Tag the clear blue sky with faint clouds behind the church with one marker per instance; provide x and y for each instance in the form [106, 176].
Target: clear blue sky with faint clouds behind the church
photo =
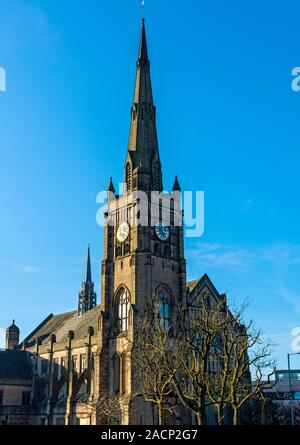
[228, 124]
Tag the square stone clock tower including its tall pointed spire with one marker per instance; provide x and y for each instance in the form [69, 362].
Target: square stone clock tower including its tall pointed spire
[143, 248]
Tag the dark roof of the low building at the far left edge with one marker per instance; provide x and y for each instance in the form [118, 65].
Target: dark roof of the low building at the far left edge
[15, 365]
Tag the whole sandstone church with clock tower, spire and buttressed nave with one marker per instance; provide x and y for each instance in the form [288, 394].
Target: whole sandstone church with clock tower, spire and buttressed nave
[62, 369]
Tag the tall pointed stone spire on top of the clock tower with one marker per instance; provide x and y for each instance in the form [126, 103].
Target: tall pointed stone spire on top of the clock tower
[143, 167]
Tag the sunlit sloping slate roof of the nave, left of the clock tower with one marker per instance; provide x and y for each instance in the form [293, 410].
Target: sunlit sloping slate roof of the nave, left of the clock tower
[61, 324]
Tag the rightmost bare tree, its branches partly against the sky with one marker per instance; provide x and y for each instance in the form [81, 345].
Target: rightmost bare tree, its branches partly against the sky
[241, 348]
